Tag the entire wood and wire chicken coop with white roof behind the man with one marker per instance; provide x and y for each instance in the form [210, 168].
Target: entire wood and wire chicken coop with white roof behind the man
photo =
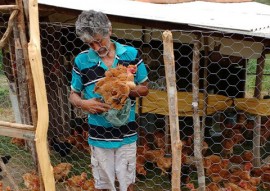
[205, 124]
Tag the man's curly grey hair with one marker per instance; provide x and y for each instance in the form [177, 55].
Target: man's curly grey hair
[91, 23]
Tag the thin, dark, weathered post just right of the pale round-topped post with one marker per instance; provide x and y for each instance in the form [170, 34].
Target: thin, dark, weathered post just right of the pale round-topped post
[196, 117]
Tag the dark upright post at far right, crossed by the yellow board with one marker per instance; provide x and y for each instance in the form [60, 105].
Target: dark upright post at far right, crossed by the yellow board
[257, 127]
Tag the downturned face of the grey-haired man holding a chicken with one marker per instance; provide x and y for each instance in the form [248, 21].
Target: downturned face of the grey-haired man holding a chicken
[101, 45]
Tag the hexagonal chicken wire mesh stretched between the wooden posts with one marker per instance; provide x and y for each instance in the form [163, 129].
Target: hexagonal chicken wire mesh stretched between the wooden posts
[227, 74]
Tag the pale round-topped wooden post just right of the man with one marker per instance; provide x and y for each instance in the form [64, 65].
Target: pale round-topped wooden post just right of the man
[173, 109]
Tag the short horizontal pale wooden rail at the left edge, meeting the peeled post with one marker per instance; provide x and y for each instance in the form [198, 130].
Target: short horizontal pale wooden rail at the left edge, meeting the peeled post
[18, 133]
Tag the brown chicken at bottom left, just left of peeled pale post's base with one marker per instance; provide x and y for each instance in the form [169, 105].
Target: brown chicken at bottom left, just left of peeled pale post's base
[31, 181]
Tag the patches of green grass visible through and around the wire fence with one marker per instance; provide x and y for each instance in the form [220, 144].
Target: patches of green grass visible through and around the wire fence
[22, 160]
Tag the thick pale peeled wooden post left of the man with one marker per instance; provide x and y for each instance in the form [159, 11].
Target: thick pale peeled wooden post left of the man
[41, 98]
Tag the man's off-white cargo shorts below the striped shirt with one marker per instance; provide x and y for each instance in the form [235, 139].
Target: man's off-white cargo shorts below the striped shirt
[111, 164]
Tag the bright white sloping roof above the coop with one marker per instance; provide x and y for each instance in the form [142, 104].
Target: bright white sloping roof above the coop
[245, 18]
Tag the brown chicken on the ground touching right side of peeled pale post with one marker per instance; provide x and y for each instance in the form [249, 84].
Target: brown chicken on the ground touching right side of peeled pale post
[61, 171]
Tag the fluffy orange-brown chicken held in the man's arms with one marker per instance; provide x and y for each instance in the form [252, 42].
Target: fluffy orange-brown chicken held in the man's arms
[116, 85]
